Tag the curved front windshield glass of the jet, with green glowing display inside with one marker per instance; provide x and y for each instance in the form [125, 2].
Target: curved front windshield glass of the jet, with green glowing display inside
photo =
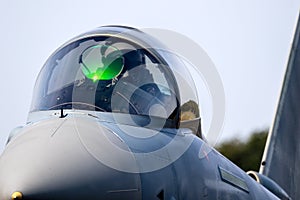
[107, 74]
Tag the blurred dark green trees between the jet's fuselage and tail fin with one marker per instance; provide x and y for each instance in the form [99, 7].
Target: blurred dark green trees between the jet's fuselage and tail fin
[247, 155]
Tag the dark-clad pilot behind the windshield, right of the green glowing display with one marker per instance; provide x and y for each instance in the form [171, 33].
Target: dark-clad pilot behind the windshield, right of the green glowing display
[140, 89]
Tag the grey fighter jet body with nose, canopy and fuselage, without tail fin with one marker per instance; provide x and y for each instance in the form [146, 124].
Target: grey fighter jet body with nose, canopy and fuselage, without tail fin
[108, 121]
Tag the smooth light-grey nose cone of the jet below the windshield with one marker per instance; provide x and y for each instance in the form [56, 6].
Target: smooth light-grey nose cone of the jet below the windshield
[50, 160]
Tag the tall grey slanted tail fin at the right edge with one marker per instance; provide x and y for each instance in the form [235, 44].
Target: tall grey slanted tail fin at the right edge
[281, 159]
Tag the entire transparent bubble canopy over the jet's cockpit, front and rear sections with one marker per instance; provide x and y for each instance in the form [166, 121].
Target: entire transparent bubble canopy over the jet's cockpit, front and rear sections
[117, 70]
